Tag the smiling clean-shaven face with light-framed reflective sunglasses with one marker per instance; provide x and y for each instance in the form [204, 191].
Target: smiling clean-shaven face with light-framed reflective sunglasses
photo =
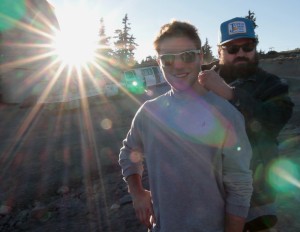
[180, 62]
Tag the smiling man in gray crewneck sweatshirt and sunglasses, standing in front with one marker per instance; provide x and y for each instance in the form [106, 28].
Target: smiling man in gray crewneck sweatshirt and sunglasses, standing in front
[194, 145]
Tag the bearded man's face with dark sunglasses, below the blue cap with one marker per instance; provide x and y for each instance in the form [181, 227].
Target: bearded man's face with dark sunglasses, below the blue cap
[237, 52]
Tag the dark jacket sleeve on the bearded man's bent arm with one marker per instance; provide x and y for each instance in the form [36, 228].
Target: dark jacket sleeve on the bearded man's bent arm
[269, 104]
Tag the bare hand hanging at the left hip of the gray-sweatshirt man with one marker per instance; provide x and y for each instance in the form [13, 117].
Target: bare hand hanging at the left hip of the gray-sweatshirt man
[142, 203]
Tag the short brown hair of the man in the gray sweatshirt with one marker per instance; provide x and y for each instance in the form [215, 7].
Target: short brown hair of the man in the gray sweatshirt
[177, 29]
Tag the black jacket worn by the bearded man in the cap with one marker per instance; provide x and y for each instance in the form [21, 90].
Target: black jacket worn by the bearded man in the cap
[263, 99]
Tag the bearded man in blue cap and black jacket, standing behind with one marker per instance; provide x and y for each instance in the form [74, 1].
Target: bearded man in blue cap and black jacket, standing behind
[263, 99]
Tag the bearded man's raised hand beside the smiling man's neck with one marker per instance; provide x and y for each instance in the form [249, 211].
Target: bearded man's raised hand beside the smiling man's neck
[211, 80]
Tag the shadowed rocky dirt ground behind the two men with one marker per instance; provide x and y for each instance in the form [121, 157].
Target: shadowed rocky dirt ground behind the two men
[59, 167]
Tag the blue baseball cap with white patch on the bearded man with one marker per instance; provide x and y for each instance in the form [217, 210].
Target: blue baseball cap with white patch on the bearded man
[236, 28]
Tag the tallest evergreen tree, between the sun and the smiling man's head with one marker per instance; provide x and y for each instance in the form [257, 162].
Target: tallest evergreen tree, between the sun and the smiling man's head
[125, 45]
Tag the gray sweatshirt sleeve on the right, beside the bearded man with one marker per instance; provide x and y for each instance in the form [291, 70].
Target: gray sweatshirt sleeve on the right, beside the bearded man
[237, 176]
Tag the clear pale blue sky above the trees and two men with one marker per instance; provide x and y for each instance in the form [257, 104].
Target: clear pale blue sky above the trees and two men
[278, 20]
